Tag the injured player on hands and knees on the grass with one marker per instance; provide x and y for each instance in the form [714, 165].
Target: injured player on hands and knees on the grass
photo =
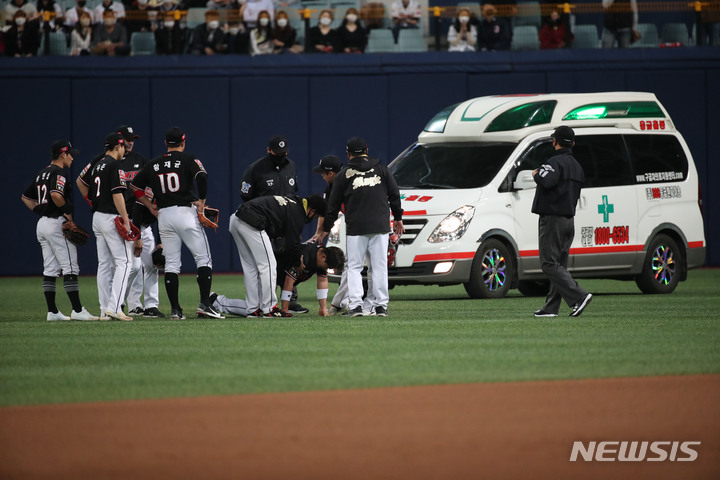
[314, 260]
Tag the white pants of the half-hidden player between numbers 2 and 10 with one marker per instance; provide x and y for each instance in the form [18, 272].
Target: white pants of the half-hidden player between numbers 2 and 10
[143, 275]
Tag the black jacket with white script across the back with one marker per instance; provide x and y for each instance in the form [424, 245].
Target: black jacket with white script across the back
[369, 192]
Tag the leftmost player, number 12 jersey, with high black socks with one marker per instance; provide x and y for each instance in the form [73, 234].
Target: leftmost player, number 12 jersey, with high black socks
[50, 196]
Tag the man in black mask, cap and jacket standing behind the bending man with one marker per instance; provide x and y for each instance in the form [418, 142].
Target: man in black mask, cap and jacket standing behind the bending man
[273, 174]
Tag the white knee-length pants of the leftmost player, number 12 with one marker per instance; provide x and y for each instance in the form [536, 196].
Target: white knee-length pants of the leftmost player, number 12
[59, 255]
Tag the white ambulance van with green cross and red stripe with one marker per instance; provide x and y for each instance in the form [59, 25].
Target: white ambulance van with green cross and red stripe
[467, 191]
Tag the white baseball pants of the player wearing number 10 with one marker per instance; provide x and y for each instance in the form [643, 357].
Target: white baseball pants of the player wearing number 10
[178, 225]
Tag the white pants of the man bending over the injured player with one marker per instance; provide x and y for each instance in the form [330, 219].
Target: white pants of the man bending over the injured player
[259, 265]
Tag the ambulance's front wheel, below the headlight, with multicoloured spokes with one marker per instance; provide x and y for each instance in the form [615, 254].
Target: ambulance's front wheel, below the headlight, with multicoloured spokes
[492, 271]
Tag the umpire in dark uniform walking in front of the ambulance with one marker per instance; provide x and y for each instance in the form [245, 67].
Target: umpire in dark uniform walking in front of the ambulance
[558, 188]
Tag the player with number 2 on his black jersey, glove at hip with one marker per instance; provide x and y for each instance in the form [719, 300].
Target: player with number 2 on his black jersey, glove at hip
[104, 185]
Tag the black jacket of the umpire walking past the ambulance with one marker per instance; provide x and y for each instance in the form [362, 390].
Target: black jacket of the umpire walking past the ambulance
[559, 181]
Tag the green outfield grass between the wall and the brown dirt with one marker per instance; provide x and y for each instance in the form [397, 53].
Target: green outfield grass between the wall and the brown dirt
[433, 336]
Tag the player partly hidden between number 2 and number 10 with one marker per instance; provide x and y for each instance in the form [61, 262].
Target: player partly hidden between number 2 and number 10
[143, 274]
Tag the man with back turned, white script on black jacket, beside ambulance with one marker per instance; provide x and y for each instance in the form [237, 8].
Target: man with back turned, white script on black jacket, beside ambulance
[369, 191]
